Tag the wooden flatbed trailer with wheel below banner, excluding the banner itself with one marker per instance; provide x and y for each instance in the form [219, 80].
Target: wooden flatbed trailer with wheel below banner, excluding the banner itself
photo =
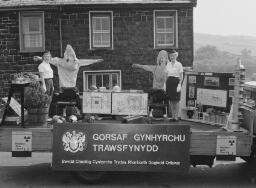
[202, 149]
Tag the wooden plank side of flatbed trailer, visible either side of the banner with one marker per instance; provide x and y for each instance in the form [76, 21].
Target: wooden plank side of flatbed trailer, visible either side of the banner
[203, 138]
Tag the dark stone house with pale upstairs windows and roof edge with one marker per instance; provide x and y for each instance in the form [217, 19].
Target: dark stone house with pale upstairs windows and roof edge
[122, 32]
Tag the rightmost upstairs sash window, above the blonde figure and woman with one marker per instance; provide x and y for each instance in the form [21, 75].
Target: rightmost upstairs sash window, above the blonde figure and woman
[165, 29]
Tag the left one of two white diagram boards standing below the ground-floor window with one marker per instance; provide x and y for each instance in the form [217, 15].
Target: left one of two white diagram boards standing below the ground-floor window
[97, 102]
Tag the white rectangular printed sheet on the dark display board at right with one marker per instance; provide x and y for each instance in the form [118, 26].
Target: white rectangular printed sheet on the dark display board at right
[212, 97]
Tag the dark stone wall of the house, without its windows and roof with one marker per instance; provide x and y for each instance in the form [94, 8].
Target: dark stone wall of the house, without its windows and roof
[132, 35]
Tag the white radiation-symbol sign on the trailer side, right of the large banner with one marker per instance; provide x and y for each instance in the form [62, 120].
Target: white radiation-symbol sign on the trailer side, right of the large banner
[226, 145]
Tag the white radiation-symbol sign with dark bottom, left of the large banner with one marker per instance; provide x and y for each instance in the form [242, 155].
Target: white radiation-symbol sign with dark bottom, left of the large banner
[21, 144]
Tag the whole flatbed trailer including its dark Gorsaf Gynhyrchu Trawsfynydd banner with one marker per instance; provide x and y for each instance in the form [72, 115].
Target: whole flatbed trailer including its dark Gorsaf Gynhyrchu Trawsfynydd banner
[205, 141]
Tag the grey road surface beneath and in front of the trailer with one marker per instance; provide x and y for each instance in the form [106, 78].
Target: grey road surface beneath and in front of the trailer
[36, 172]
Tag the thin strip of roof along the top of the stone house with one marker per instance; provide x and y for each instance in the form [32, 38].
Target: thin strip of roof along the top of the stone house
[29, 3]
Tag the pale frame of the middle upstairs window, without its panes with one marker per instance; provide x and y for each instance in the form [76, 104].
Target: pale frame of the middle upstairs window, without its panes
[100, 13]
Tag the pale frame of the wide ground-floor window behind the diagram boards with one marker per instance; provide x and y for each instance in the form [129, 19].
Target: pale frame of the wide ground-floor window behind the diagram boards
[101, 72]
